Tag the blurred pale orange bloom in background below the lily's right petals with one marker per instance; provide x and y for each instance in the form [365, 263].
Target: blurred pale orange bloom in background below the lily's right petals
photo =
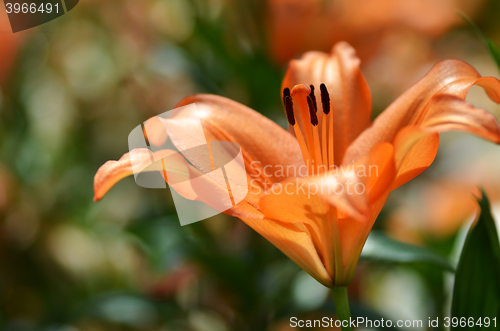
[437, 209]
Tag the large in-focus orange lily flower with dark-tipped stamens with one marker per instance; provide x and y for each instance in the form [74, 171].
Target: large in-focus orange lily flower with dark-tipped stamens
[305, 215]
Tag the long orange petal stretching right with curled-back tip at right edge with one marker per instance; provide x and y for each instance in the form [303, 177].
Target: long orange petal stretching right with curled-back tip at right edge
[435, 103]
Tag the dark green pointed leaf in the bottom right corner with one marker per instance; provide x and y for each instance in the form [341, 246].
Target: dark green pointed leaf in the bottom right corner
[477, 281]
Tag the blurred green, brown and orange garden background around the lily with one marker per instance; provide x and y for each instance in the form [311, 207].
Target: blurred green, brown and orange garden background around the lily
[71, 91]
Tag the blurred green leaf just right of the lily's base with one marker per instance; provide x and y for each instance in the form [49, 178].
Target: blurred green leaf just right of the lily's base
[381, 248]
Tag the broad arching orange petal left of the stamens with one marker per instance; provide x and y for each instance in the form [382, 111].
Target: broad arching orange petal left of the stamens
[263, 142]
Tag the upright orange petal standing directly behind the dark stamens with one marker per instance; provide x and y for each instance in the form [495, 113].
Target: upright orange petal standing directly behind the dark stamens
[349, 93]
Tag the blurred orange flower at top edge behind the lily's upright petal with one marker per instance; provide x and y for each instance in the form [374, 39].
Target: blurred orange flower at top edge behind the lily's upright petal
[296, 26]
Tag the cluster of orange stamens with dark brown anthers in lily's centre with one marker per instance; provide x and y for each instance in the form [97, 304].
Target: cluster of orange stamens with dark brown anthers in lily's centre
[314, 135]
